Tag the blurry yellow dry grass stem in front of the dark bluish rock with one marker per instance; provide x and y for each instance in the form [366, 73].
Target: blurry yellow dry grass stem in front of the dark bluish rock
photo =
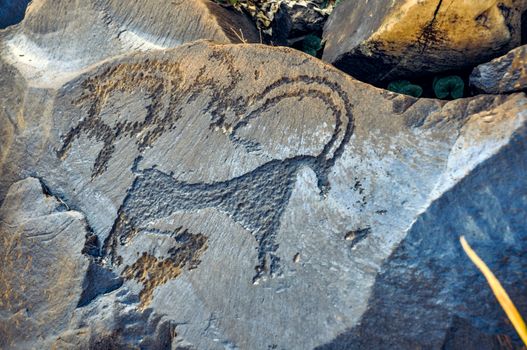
[500, 293]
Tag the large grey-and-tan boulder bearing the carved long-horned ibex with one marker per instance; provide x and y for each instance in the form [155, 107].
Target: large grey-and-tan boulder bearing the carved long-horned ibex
[235, 206]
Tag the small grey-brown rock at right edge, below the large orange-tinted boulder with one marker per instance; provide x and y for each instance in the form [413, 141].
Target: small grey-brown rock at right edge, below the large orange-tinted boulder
[505, 74]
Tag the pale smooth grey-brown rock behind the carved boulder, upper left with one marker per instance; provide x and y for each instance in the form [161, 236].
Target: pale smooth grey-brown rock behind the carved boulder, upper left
[59, 38]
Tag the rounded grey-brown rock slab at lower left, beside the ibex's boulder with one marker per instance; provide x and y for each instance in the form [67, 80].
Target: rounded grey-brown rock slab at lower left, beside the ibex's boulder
[42, 268]
